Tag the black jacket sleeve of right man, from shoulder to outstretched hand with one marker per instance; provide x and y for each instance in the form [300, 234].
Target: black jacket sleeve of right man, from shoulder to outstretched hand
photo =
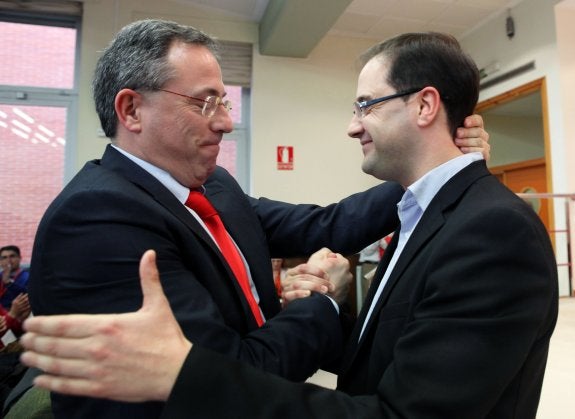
[477, 338]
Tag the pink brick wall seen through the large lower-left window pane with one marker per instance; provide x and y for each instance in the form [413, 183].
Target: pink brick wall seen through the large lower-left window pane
[31, 172]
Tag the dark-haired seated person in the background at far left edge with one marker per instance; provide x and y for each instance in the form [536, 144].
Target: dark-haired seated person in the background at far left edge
[14, 277]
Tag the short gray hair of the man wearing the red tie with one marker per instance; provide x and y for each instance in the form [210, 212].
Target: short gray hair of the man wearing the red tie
[136, 59]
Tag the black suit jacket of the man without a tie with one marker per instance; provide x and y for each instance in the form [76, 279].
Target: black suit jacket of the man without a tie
[461, 330]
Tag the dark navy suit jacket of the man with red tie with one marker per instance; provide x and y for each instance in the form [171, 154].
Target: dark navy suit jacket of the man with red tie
[90, 240]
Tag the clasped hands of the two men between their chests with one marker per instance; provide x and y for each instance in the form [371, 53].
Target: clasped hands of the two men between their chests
[325, 272]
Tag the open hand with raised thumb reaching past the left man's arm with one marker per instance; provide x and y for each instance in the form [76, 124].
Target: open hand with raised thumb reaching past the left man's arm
[114, 356]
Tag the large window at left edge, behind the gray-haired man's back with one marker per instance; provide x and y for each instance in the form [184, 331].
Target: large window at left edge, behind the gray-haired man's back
[37, 108]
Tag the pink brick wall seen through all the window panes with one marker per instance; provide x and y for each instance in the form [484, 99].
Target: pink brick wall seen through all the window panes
[32, 138]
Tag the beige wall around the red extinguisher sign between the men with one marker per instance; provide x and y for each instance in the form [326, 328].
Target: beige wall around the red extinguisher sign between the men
[306, 103]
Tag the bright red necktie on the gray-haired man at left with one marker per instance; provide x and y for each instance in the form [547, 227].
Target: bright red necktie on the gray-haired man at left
[199, 203]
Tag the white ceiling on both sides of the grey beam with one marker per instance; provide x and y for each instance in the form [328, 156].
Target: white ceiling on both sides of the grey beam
[380, 19]
